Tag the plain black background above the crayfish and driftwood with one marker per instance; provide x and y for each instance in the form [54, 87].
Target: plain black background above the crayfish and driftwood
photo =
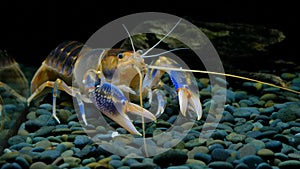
[30, 30]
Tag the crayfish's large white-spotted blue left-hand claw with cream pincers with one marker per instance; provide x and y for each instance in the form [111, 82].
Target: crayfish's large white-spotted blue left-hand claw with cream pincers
[110, 101]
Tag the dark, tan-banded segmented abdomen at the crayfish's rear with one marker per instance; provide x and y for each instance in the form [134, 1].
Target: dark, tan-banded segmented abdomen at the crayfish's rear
[64, 56]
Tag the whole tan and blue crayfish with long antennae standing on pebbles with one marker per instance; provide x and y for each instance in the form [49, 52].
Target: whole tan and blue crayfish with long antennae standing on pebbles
[106, 78]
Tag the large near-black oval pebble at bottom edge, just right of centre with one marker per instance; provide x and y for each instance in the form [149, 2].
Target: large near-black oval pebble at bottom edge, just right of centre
[174, 157]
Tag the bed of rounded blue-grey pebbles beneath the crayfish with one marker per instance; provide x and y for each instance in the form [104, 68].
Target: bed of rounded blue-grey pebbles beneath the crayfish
[259, 129]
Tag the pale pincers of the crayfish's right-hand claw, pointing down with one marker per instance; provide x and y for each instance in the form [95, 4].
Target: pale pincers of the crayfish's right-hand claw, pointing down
[189, 100]
